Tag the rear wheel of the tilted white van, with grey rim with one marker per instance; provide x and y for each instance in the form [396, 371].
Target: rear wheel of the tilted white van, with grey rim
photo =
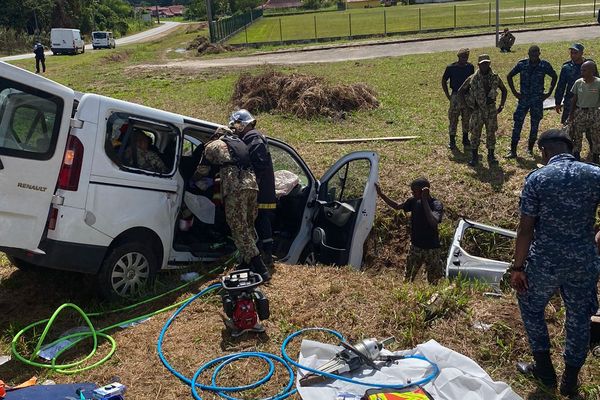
[128, 270]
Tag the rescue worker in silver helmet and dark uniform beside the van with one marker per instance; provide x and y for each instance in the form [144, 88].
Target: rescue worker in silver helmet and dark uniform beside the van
[243, 124]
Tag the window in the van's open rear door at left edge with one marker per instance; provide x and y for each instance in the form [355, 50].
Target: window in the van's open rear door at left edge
[29, 121]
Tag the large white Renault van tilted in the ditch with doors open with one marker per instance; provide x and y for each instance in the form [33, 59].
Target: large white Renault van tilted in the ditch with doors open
[69, 199]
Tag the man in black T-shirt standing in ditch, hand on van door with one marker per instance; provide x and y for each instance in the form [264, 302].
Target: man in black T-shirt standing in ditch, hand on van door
[425, 215]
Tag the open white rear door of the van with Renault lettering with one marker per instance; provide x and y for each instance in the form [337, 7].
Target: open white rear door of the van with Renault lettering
[35, 116]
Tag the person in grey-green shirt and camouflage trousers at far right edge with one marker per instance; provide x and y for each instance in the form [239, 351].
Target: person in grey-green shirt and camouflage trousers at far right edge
[585, 116]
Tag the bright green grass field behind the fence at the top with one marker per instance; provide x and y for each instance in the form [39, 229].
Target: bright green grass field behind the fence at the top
[412, 18]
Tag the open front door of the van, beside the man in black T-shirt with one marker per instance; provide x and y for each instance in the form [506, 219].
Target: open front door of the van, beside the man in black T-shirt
[345, 209]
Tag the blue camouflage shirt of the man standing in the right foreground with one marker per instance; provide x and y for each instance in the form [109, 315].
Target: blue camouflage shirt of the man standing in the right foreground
[563, 197]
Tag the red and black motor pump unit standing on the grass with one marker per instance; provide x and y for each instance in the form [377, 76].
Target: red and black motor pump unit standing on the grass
[243, 303]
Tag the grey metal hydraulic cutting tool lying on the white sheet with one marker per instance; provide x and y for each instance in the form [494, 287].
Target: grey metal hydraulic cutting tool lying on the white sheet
[351, 358]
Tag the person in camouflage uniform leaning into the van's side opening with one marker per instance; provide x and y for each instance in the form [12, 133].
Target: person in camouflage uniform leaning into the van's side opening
[239, 193]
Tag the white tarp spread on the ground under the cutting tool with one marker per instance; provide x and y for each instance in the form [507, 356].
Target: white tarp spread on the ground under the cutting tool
[459, 377]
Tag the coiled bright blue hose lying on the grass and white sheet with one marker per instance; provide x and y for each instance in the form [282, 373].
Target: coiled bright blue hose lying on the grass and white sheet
[285, 361]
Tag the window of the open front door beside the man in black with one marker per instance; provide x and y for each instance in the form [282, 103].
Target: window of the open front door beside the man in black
[348, 183]
